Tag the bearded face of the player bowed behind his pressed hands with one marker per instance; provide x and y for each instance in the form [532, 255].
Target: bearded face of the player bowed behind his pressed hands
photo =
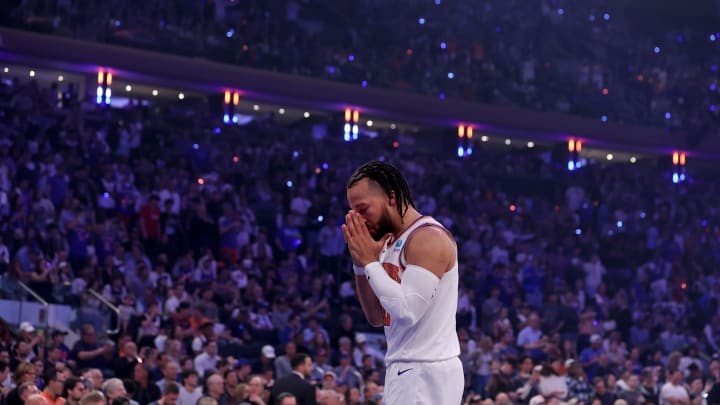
[374, 206]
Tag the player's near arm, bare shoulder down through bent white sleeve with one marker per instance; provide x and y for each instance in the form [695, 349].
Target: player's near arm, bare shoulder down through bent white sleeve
[429, 254]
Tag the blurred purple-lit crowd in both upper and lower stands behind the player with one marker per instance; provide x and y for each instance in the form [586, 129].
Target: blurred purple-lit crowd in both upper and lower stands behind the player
[220, 245]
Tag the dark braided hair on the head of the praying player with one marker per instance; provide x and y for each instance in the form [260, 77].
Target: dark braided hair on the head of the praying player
[389, 178]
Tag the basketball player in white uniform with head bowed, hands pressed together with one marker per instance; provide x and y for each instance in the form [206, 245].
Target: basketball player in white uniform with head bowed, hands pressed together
[407, 280]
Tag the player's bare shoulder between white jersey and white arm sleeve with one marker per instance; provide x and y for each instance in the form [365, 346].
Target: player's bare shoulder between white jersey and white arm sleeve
[432, 248]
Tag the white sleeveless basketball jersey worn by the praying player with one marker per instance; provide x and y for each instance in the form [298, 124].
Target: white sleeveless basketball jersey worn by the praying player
[433, 337]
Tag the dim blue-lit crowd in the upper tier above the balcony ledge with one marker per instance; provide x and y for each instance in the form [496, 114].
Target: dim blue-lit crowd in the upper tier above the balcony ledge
[601, 59]
